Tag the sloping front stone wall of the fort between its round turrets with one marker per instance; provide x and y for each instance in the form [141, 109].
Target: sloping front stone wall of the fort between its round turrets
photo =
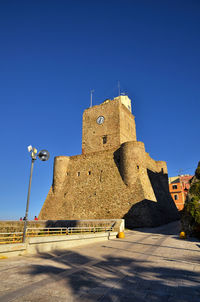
[93, 188]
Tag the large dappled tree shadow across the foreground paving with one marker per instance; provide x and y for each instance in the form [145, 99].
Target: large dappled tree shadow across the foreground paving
[117, 278]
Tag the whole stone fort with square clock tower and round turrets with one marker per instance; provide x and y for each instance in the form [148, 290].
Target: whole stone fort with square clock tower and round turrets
[114, 177]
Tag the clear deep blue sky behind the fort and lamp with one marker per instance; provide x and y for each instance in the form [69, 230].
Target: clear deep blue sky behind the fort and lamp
[53, 52]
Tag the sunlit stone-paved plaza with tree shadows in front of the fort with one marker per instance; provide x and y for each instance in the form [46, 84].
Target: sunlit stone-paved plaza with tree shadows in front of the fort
[149, 265]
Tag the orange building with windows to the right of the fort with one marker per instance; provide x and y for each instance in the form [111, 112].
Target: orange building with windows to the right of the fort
[178, 188]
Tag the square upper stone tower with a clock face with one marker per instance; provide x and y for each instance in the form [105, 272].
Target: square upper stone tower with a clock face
[108, 125]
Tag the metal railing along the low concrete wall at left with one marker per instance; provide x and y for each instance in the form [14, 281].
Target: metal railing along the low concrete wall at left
[41, 232]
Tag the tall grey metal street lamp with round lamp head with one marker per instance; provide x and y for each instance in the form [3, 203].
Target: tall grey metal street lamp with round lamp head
[42, 155]
